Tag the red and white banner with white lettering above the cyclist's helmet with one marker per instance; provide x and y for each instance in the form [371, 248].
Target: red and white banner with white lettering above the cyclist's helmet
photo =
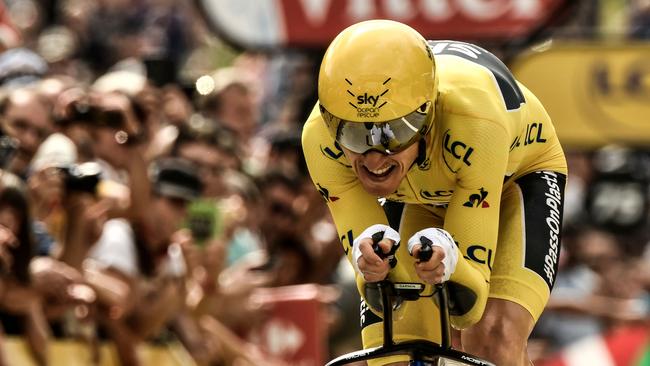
[314, 23]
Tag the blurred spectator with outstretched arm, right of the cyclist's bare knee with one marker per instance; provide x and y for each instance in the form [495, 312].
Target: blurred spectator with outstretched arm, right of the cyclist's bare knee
[591, 293]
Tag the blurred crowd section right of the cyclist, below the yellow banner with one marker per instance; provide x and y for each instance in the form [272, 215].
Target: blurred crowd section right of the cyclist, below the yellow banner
[603, 283]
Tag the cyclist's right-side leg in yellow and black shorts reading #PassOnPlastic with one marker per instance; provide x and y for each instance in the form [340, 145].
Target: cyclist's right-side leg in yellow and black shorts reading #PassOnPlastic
[524, 270]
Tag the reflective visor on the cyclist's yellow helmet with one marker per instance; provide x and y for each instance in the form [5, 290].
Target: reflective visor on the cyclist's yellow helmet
[388, 137]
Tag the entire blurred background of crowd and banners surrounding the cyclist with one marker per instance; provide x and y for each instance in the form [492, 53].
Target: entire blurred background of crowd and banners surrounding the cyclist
[155, 207]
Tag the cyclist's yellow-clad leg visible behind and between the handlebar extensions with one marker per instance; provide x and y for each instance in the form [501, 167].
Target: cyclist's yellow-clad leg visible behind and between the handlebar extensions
[414, 320]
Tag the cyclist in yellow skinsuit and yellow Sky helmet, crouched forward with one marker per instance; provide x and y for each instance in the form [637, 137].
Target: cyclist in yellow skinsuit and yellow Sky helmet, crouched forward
[445, 129]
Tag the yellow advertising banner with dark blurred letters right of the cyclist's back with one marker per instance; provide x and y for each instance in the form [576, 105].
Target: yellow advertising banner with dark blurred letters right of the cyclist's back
[596, 94]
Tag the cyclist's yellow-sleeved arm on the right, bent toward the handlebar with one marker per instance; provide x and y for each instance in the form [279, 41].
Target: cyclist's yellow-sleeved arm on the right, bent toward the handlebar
[473, 213]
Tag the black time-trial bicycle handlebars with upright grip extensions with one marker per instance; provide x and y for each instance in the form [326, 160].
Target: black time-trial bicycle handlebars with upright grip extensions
[421, 352]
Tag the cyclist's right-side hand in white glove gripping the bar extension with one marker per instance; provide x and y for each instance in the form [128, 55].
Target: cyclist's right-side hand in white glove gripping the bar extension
[444, 255]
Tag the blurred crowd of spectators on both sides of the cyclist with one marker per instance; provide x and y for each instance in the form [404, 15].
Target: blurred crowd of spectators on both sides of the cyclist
[152, 182]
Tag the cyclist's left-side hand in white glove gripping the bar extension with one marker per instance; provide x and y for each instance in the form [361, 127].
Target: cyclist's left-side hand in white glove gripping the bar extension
[372, 266]
